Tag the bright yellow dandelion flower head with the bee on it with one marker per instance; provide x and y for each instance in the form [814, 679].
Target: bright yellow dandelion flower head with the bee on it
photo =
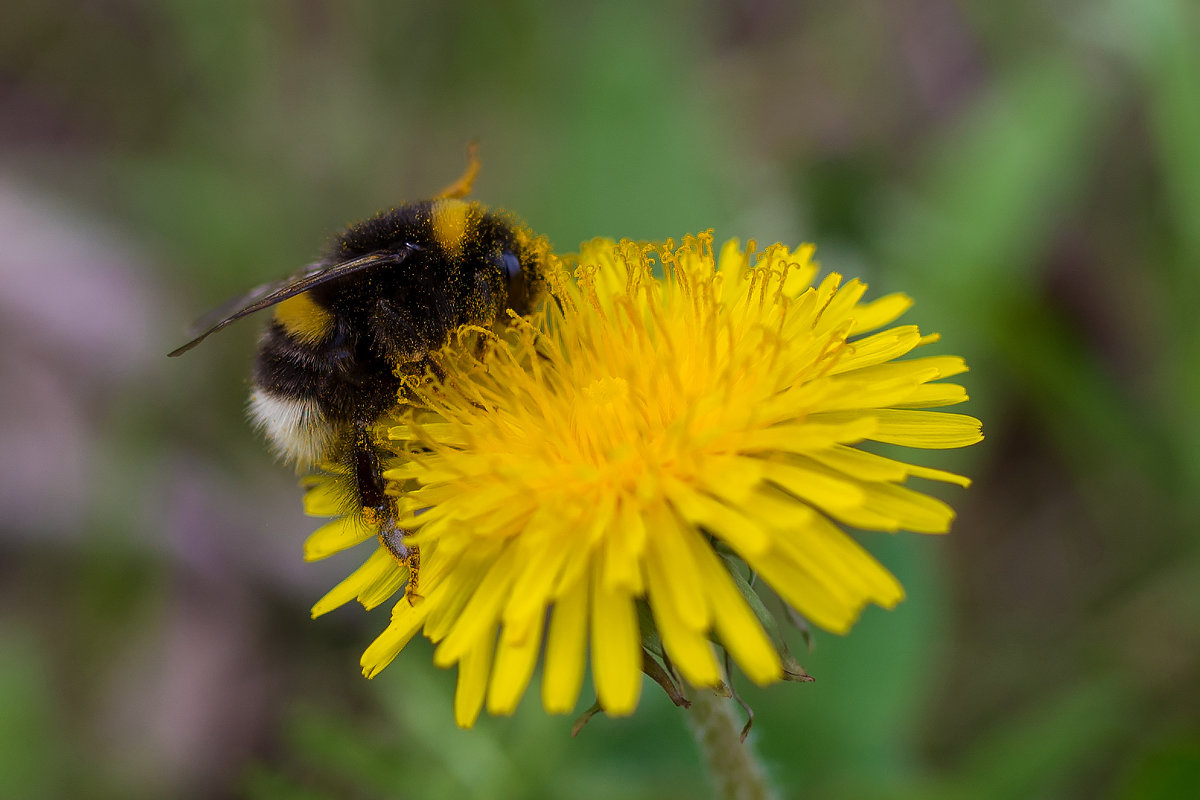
[619, 461]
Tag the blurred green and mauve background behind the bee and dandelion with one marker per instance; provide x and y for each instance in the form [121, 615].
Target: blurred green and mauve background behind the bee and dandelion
[1029, 171]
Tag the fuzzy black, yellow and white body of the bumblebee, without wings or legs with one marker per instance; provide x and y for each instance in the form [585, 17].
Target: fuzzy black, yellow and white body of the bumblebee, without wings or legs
[335, 354]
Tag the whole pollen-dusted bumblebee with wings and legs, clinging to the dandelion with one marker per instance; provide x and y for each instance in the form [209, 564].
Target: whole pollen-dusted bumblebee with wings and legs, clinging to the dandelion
[349, 329]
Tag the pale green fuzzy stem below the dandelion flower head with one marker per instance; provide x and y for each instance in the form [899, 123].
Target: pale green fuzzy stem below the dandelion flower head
[731, 763]
